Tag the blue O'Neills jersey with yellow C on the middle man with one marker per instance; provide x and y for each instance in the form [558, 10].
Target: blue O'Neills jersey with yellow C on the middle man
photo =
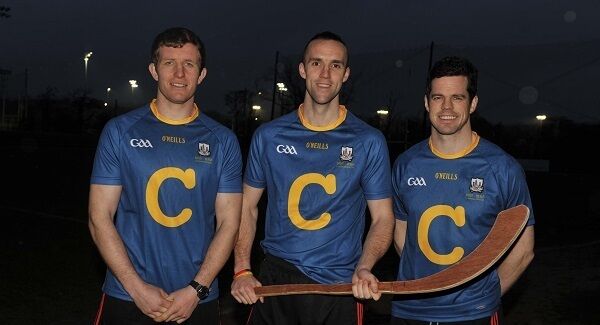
[318, 180]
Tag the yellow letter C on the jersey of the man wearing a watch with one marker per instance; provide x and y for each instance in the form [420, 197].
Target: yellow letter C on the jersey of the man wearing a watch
[187, 177]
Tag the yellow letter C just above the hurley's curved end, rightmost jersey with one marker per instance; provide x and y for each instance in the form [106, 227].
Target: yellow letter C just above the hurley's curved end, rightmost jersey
[457, 215]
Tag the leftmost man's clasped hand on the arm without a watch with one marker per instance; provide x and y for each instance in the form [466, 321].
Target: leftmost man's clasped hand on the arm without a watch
[151, 300]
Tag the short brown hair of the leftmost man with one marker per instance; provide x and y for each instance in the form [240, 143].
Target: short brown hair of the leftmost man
[177, 37]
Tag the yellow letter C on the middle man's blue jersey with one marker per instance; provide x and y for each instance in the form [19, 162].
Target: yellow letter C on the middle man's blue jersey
[328, 184]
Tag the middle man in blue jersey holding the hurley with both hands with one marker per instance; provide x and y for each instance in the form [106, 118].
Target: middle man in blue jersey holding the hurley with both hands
[321, 167]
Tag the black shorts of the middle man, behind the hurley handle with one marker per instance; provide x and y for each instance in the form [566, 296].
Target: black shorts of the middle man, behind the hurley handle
[300, 309]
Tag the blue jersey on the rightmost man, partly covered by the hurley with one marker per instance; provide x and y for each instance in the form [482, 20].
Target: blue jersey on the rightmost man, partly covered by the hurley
[450, 204]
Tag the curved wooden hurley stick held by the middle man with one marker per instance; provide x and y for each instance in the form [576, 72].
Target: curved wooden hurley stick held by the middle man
[508, 226]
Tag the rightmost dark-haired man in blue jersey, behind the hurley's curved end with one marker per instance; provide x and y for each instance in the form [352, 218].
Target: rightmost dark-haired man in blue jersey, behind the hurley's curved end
[448, 192]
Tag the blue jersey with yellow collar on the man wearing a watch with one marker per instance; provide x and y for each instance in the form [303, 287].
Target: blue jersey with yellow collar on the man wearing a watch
[170, 173]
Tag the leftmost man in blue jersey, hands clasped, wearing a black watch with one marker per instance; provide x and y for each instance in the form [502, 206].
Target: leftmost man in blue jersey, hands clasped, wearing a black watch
[165, 197]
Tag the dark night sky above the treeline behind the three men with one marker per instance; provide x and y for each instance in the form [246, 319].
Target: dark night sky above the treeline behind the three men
[49, 38]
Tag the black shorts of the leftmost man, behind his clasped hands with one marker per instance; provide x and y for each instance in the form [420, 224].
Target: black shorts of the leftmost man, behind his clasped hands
[114, 311]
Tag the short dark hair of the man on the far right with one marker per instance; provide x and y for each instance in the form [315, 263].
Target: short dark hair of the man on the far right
[454, 66]
